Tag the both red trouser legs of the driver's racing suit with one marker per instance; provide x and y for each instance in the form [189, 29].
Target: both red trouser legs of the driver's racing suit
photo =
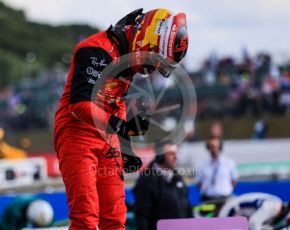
[95, 191]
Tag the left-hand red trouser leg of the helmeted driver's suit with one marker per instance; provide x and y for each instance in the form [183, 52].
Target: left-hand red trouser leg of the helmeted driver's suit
[78, 166]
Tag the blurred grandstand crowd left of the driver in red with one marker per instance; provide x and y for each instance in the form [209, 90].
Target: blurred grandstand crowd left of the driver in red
[31, 103]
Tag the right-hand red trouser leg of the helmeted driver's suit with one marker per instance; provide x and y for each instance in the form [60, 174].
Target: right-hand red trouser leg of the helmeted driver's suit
[110, 186]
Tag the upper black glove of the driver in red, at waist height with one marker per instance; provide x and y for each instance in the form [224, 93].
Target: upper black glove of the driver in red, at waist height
[137, 126]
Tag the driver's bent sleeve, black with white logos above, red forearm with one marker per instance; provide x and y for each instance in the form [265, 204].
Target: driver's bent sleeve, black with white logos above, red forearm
[89, 64]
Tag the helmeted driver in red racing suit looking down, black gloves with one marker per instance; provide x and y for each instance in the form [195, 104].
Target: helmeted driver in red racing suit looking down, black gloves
[88, 129]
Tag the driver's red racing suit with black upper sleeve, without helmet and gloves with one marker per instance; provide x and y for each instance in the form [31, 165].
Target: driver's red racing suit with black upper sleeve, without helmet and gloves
[89, 158]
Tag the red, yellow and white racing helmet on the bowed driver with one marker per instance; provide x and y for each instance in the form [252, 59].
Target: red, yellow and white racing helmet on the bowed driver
[164, 33]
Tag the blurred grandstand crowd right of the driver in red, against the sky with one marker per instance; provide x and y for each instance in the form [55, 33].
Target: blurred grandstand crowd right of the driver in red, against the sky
[251, 86]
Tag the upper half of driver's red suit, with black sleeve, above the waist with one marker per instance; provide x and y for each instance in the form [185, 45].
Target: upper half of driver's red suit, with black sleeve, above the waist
[90, 58]
